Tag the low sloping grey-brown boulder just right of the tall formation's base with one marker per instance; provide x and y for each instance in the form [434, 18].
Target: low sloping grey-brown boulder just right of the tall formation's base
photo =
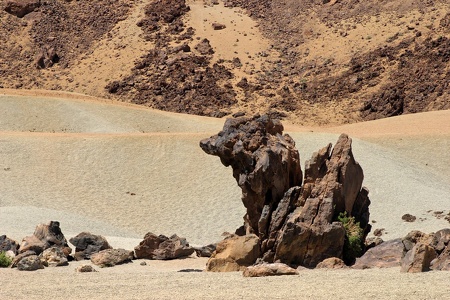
[386, 255]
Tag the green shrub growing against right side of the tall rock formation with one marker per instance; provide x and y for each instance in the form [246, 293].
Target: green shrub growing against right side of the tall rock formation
[353, 244]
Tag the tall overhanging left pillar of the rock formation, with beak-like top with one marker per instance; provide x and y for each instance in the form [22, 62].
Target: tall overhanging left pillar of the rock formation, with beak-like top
[265, 164]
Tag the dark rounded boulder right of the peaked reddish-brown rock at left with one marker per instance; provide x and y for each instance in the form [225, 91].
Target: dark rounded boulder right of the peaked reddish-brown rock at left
[87, 243]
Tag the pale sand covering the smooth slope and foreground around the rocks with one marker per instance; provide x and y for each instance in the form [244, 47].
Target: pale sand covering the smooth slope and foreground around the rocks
[80, 176]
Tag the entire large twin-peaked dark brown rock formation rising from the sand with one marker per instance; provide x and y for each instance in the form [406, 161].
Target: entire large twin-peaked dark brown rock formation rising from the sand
[298, 225]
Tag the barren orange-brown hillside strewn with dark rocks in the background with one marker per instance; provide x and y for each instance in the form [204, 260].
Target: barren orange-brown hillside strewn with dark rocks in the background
[312, 62]
